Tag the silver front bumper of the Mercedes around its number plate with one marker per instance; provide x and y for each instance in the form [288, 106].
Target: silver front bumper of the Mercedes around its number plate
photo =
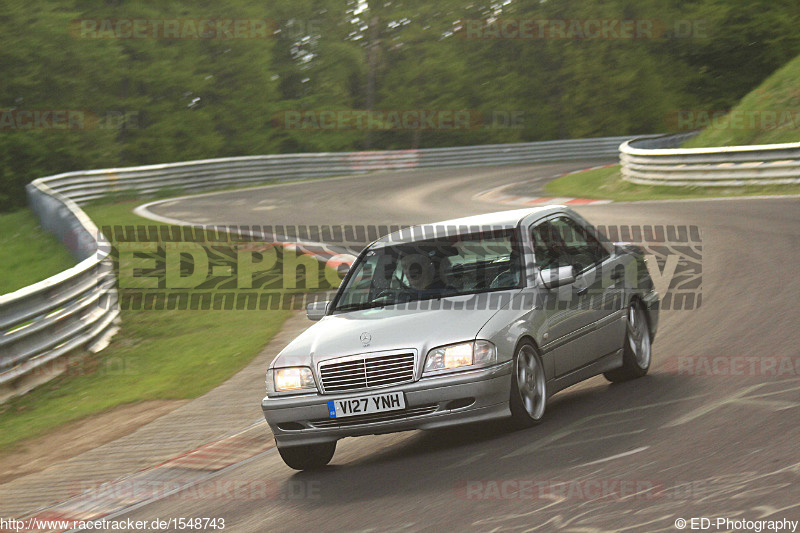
[433, 402]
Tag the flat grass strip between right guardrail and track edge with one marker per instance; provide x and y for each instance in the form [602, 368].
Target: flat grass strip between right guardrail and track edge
[607, 183]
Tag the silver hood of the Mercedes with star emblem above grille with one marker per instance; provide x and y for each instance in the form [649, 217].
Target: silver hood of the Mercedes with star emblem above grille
[389, 328]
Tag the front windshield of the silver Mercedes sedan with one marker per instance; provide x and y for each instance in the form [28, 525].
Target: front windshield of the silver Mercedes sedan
[433, 268]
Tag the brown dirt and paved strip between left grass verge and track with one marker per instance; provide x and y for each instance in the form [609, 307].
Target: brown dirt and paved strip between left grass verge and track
[221, 428]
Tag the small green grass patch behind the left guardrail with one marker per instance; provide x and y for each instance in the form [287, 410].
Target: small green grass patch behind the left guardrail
[27, 252]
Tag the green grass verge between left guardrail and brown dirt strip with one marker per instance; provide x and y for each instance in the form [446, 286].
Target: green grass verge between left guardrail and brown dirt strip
[157, 355]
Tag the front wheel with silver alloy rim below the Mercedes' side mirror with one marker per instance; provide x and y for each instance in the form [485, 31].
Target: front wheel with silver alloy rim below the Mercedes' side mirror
[528, 387]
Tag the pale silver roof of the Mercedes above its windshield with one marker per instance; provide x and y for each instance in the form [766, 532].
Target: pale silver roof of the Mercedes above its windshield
[471, 224]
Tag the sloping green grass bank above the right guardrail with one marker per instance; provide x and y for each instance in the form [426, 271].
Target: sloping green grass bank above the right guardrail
[773, 108]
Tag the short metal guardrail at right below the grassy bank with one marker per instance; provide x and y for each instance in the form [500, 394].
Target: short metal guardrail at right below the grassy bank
[658, 161]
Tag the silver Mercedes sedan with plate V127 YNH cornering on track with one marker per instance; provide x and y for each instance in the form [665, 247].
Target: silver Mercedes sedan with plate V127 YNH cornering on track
[462, 321]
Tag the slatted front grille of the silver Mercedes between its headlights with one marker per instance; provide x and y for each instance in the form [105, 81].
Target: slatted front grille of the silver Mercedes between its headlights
[367, 372]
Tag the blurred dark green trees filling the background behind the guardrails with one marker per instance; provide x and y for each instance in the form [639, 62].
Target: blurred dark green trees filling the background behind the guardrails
[162, 100]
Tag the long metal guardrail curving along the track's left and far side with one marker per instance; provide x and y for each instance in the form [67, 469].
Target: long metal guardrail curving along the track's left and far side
[78, 309]
